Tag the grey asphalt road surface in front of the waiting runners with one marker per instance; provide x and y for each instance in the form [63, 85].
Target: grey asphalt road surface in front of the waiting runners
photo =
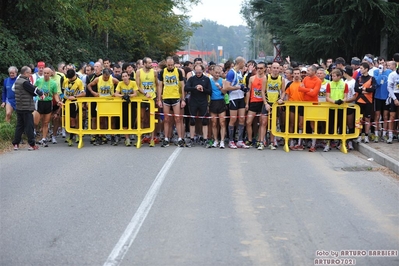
[193, 206]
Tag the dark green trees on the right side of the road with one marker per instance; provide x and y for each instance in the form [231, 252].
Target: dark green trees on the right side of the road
[315, 29]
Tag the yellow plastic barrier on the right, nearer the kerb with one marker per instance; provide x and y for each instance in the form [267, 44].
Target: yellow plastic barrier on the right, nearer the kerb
[318, 113]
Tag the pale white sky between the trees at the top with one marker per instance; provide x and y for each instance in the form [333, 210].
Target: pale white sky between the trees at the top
[224, 12]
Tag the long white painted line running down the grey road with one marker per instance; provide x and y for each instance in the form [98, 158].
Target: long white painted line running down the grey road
[131, 231]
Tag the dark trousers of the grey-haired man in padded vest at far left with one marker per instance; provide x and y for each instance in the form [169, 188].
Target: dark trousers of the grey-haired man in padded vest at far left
[24, 123]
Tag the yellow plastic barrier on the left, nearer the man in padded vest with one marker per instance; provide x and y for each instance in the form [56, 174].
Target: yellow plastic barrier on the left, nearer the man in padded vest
[110, 108]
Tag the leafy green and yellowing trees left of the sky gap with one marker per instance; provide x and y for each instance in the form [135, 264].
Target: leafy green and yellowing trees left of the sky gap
[83, 30]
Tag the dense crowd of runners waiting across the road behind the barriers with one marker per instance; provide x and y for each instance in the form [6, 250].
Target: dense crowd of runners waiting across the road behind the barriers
[203, 103]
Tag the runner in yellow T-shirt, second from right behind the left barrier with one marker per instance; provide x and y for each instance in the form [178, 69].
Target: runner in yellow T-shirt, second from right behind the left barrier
[127, 89]
